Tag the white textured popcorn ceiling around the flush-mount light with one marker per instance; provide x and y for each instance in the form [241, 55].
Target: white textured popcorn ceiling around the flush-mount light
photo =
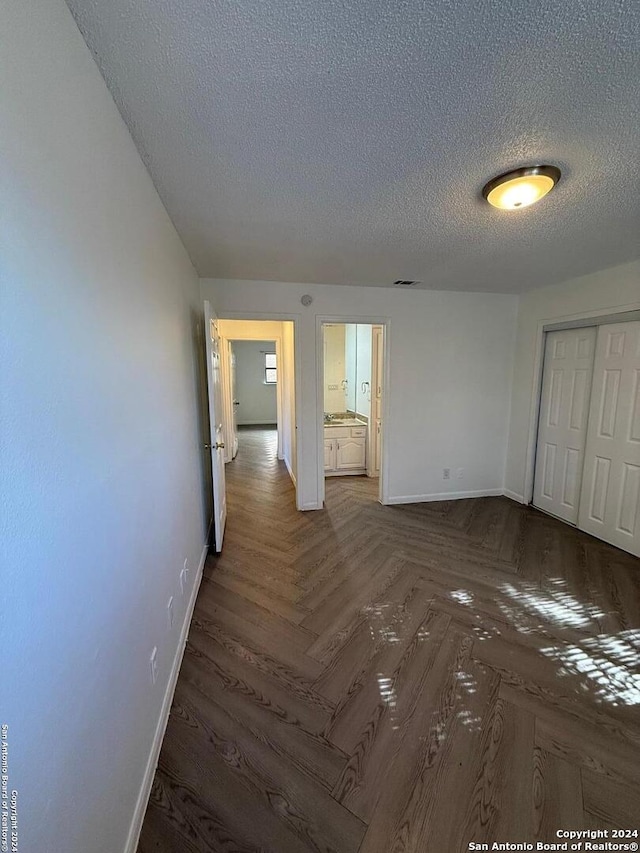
[347, 142]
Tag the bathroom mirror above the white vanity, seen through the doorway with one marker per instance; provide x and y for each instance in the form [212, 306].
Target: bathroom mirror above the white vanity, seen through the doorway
[347, 368]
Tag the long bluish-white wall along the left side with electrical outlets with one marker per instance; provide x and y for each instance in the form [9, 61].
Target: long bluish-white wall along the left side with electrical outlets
[101, 439]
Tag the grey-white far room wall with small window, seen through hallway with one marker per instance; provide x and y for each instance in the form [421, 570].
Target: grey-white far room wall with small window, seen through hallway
[257, 400]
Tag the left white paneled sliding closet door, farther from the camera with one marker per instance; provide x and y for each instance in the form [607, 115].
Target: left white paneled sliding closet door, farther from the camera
[562, 427]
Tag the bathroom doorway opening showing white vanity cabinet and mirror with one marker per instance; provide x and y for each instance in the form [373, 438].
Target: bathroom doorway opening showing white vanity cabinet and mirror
[351, 371]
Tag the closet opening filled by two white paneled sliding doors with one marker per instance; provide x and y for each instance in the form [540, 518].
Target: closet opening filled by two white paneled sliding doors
[587, 465]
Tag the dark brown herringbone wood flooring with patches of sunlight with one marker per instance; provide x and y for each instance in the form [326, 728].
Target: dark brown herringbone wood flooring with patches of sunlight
[399, 679]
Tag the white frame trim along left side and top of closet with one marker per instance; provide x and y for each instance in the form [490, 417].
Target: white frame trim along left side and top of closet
[556, 324]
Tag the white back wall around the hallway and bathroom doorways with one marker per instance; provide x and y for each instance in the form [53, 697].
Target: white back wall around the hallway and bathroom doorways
[451, 363]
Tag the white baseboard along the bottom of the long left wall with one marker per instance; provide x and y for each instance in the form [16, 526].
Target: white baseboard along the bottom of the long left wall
[152, 762]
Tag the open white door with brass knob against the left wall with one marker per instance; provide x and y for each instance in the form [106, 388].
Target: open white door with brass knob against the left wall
[215, 421]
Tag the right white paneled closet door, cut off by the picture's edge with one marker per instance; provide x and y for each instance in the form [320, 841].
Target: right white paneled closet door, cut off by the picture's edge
[610, 500]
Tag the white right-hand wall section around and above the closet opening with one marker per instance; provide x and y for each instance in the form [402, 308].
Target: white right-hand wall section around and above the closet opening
[606, 292]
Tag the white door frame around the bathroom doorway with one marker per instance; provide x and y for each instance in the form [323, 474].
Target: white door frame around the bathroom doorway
[367, 319]
